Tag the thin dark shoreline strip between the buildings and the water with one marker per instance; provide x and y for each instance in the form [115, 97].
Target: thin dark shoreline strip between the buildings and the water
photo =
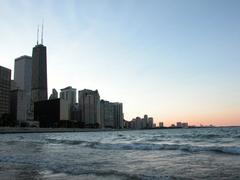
[14, 130]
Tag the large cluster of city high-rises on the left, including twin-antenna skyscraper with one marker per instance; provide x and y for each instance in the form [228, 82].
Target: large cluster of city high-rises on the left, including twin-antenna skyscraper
[24, 100]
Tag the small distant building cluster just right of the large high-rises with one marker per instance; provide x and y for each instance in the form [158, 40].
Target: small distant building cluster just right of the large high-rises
[140, 123]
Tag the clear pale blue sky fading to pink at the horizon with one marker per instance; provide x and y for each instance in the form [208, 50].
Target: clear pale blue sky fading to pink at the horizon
[175, 60]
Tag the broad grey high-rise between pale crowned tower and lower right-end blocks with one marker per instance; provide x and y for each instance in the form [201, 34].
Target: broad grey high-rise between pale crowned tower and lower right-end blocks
[89, 105]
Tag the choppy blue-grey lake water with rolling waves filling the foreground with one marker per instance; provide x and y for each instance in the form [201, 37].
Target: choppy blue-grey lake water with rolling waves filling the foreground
[148, 154]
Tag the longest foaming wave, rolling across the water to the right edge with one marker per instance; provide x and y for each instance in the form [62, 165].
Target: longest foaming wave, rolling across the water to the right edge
[234, 150]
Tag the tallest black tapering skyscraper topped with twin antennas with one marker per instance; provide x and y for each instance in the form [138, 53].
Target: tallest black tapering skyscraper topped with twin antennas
[39, 72]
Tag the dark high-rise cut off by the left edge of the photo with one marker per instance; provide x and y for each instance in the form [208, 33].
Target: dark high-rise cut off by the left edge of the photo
[5, 85]
